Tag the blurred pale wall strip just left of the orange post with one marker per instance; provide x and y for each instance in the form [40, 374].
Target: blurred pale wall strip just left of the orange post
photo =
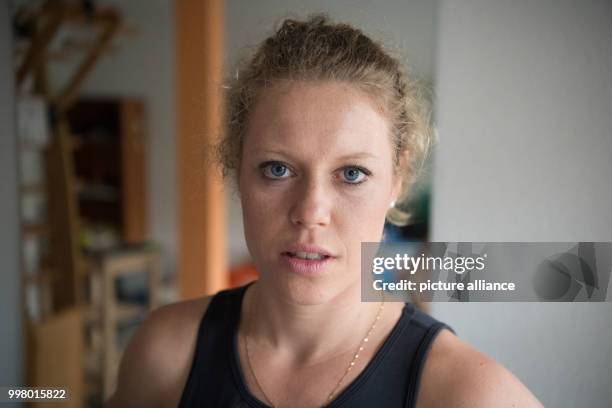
[143, 66]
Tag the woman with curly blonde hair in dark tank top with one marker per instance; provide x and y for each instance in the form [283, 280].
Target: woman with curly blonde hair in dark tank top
[325, 135]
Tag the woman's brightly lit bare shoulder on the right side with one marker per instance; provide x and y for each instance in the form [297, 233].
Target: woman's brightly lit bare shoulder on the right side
[457, 375]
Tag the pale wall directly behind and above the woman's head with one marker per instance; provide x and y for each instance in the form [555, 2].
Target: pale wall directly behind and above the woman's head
[408, 27]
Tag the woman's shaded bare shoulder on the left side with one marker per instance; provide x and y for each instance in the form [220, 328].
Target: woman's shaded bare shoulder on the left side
[156, 362]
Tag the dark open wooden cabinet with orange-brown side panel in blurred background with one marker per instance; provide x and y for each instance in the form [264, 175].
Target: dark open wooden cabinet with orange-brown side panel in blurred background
[109, 168]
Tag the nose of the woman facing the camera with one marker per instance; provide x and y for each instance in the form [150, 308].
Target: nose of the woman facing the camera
[311, 207]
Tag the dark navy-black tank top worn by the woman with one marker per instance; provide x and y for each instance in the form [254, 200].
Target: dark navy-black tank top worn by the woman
[390, 379]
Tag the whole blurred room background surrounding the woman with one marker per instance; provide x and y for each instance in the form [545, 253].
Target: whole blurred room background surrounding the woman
[110, 205]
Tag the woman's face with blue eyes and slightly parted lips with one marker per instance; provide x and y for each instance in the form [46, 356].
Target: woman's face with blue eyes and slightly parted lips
[316, 179]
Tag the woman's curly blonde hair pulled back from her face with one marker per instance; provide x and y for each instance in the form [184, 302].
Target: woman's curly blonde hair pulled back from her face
[317, 49]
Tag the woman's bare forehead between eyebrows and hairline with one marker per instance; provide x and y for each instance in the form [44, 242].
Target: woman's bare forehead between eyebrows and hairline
[318, 117]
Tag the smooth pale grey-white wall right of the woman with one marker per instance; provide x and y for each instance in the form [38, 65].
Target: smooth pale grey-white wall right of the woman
[524, 112]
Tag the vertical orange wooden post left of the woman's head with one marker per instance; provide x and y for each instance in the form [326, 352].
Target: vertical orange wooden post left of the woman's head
[202, 235]
